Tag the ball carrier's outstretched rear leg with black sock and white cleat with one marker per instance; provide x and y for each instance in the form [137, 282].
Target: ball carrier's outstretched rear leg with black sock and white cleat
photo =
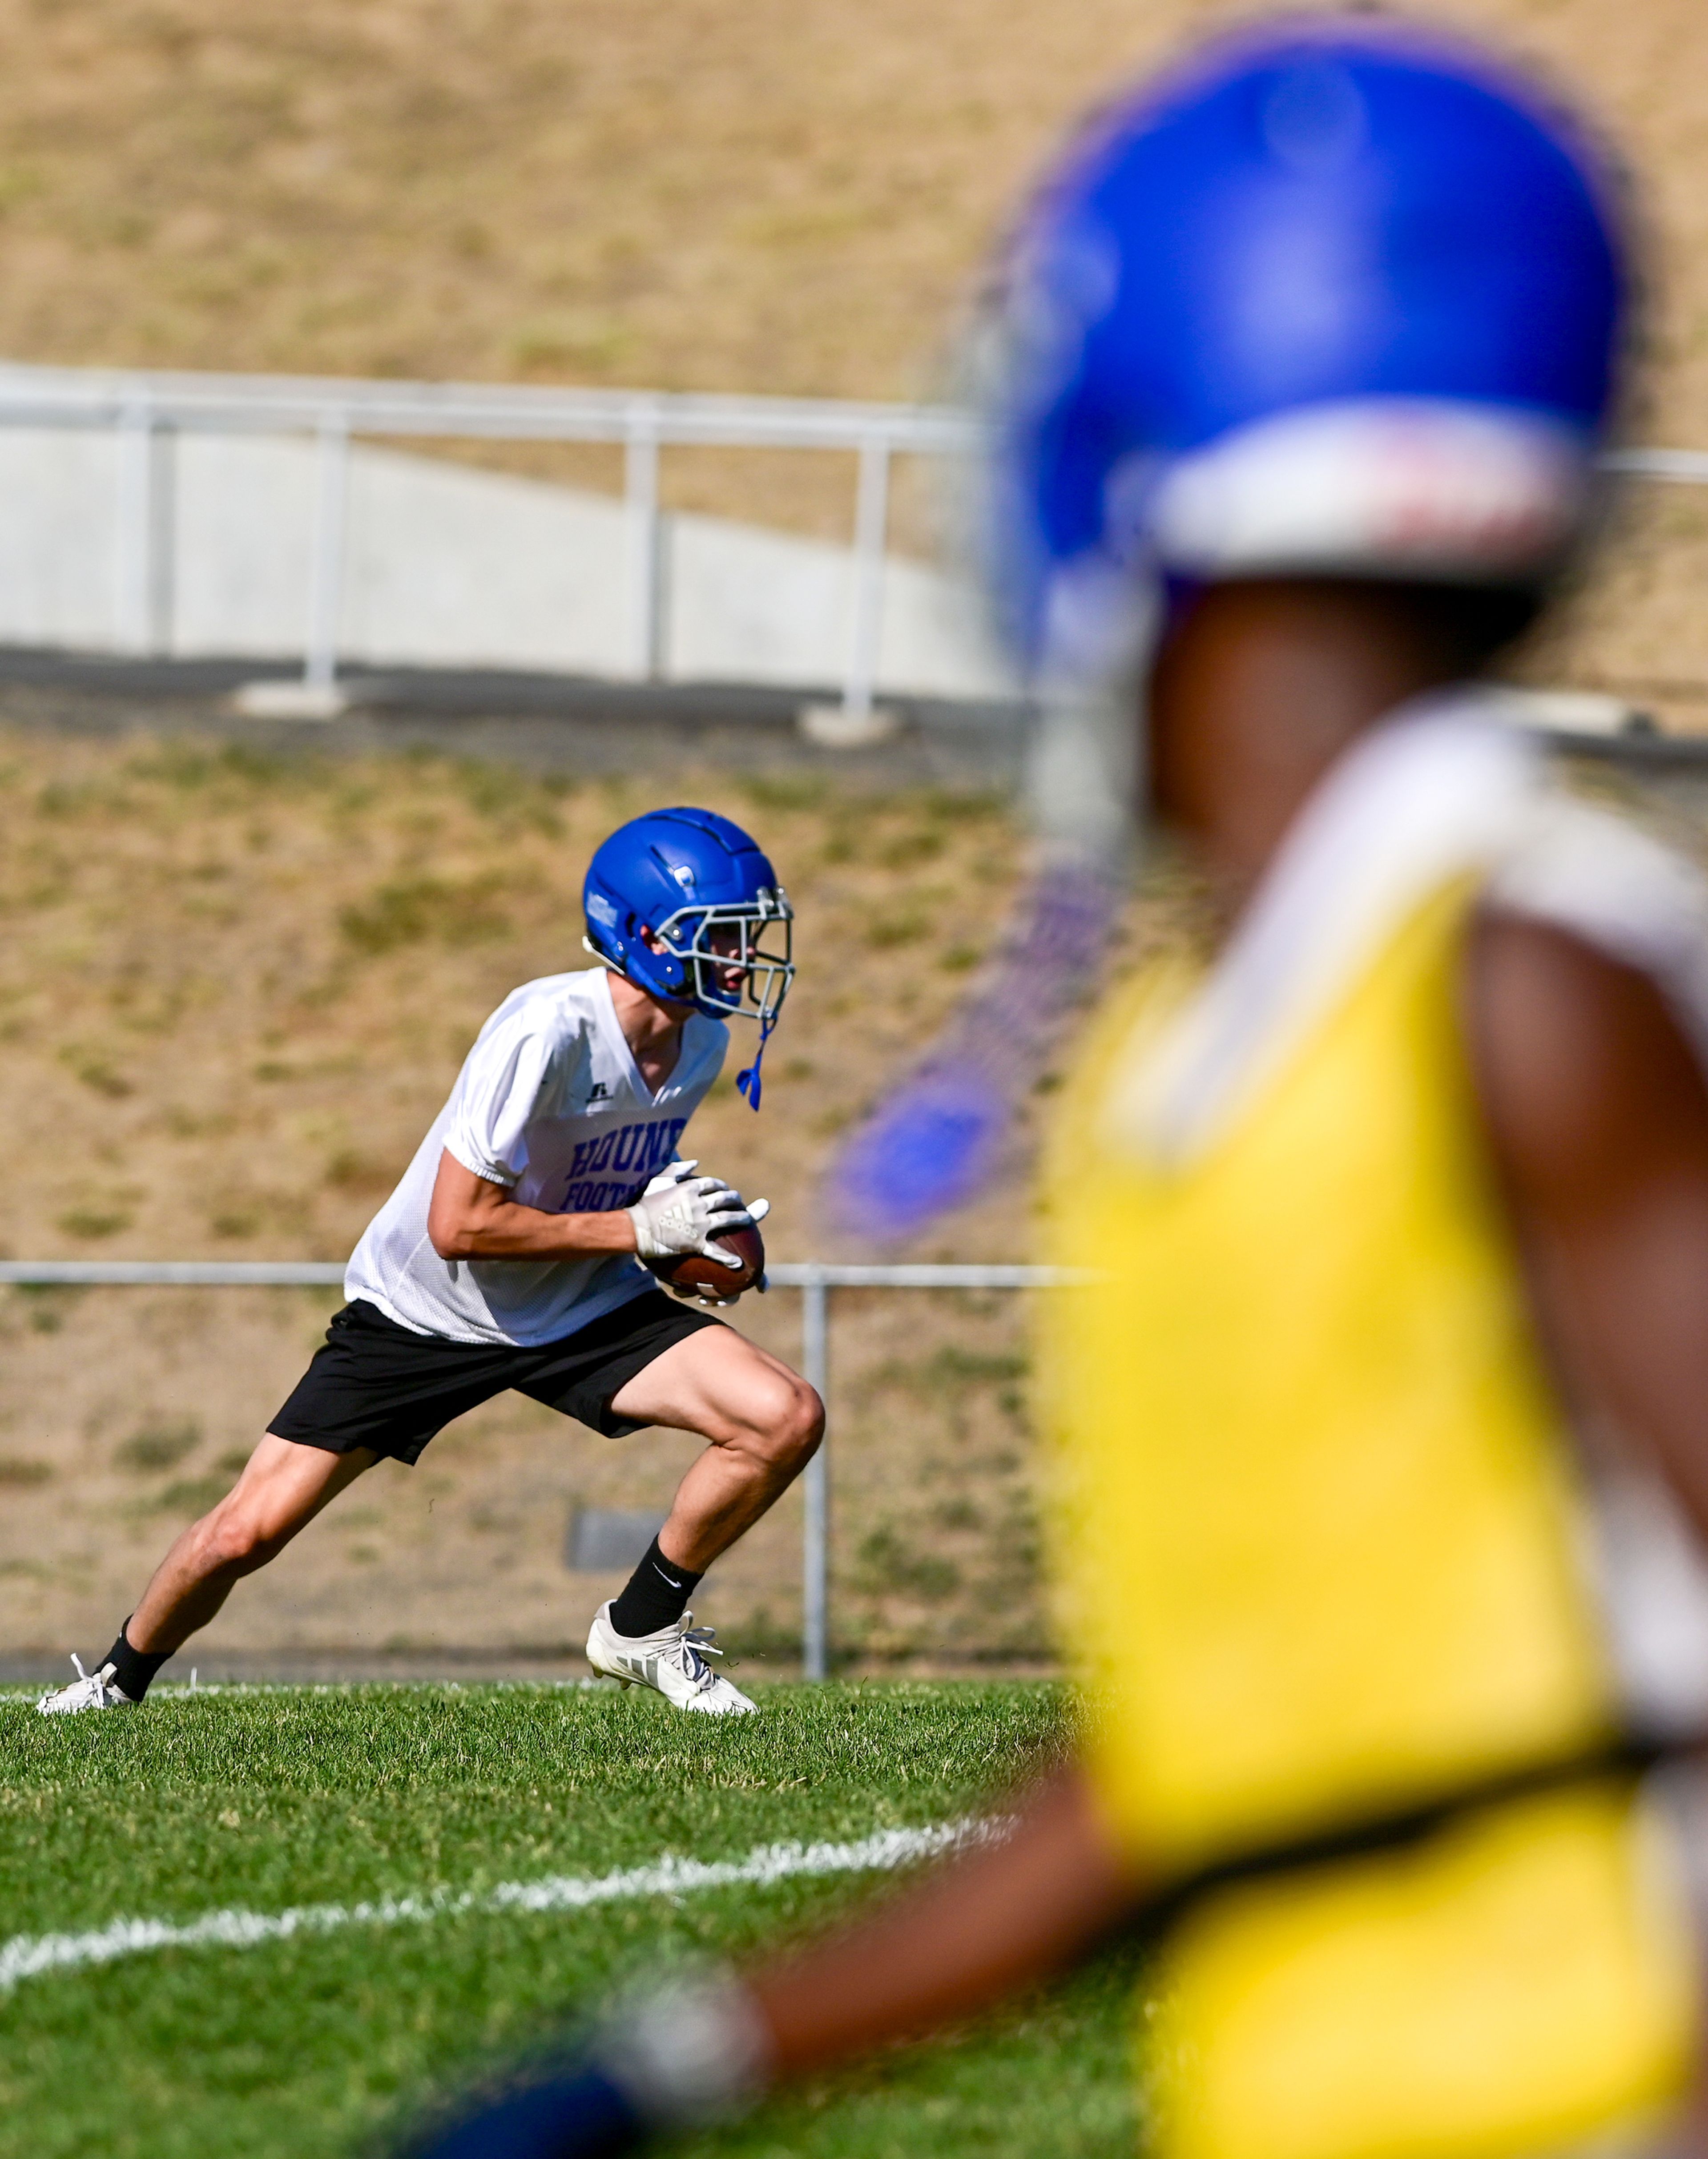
[282, 1491]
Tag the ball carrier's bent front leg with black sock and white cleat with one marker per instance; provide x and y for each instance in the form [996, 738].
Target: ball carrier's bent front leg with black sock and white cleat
[763, 1424]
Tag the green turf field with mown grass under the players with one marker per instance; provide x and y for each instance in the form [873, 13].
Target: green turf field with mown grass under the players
[273, 1800]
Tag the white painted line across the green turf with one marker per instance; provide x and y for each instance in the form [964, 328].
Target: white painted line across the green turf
[25, 1957]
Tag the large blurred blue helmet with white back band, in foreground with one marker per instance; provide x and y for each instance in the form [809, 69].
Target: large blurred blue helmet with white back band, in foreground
[1329, 299]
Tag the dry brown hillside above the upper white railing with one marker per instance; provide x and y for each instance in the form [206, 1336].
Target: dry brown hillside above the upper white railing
[789, 195]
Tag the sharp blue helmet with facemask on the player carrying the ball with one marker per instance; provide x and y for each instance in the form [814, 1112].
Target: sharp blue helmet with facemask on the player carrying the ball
[707, 893]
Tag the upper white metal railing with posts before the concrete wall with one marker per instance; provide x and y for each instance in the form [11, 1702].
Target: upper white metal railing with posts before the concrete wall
[150, 409]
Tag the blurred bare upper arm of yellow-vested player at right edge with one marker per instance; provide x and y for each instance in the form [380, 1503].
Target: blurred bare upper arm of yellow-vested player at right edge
[1599, 1117]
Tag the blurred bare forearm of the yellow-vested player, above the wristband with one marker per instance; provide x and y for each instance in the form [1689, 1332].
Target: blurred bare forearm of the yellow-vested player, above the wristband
[964, 1938]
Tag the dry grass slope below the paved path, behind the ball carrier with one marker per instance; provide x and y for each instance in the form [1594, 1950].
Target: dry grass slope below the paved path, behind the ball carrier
[234, 994]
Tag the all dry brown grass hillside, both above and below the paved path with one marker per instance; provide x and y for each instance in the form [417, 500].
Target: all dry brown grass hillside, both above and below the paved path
[234, 992]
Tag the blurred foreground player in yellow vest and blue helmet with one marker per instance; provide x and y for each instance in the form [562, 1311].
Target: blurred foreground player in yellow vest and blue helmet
[1385, 1415]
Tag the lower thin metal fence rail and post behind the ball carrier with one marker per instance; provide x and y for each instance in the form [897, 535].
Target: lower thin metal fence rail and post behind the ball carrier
[813, 1277]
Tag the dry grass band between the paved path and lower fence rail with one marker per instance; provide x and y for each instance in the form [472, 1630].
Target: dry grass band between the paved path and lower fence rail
[234, 990]
